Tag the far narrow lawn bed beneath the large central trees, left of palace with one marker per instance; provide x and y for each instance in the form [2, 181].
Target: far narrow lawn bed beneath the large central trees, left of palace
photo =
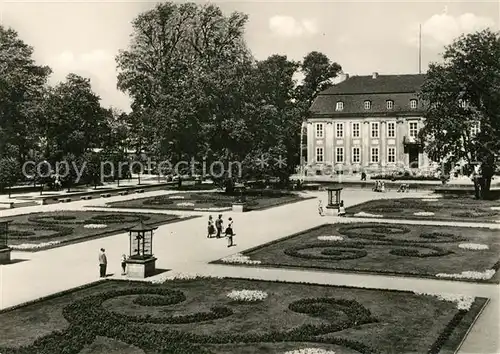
[211, 201]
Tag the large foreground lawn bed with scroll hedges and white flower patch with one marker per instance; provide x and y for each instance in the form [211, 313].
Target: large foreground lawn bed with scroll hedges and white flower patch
[199, 316]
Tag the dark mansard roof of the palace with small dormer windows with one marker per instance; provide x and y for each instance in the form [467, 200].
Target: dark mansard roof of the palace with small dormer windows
[354, 91]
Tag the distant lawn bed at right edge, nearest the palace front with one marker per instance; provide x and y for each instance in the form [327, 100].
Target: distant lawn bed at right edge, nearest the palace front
[447, 208]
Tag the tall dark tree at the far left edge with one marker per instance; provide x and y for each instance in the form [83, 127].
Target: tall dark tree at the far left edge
[22, 88]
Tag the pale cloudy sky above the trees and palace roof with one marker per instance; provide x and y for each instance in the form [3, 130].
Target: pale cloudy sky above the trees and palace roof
[362, 36]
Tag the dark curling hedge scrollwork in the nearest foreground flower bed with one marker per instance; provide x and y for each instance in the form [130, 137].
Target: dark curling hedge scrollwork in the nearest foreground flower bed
[88, 319]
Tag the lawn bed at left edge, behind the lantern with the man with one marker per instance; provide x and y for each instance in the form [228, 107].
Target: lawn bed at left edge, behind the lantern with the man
[37, 231]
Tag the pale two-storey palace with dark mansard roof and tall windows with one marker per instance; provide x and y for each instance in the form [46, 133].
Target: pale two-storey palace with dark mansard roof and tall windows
[367, 123]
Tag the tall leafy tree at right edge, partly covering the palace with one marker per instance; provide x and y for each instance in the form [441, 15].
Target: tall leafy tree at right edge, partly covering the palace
[463, 113]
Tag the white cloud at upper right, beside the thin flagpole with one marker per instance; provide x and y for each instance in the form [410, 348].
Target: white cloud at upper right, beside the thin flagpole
[441, 29]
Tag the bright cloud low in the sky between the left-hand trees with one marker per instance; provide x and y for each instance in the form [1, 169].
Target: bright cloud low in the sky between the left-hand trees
[99, 66]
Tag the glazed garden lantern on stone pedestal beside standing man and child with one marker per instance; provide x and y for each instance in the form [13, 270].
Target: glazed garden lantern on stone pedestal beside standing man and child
[141, 263]
